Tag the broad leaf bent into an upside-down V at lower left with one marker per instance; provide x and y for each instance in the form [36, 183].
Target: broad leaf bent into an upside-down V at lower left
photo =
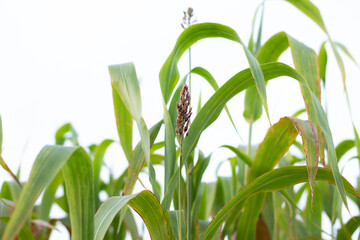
[77, 170]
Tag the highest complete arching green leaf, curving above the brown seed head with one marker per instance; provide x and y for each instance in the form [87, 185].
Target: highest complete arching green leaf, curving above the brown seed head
[169, 74]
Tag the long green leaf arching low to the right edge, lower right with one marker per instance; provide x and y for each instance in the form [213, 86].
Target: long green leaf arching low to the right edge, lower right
[274, 180]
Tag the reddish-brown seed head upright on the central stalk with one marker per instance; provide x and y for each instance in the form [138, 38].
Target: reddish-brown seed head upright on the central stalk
[183, 112]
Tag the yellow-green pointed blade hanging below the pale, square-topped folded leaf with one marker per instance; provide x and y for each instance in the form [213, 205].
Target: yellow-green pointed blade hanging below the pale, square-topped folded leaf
[124, 123]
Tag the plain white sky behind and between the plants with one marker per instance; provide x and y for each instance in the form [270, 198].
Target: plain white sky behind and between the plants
[54, 57]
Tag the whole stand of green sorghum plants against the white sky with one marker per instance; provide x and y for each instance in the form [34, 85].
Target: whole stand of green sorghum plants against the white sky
[257, 201]
